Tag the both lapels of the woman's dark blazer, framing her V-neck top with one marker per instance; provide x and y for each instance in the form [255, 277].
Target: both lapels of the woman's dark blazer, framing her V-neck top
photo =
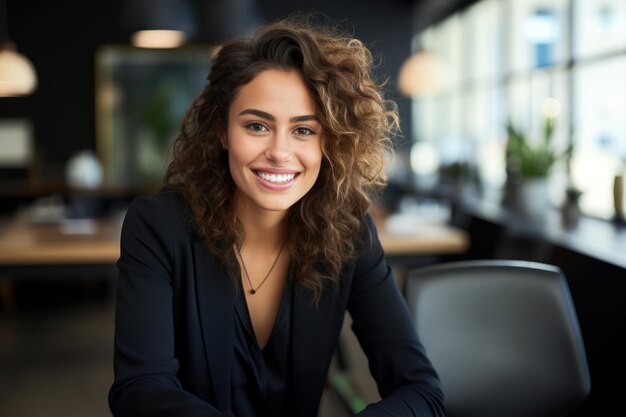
[314, 332]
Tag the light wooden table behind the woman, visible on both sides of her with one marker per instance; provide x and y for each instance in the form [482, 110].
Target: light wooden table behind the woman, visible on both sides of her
[25, 246]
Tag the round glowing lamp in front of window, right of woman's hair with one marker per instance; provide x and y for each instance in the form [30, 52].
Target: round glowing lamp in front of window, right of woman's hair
[421, 74]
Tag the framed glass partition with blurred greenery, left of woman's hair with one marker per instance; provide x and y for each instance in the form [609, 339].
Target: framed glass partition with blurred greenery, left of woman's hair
[141, 97]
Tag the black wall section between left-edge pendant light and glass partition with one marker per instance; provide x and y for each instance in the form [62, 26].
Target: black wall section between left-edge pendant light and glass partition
[60, 38]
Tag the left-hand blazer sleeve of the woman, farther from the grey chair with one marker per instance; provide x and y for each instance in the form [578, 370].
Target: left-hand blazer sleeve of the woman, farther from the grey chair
[145, 366]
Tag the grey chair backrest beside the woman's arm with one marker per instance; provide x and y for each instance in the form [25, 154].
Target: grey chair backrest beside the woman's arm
[503, 336]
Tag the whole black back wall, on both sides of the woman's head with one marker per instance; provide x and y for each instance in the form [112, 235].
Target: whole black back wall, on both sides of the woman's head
[61, 39]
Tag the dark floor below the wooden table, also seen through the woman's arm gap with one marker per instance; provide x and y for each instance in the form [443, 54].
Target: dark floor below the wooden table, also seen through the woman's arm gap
[56, 353]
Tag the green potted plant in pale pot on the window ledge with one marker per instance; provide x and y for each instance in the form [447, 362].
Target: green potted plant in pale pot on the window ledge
[528, 167]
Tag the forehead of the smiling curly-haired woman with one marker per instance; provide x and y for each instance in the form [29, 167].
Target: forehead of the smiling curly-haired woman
[274, 90]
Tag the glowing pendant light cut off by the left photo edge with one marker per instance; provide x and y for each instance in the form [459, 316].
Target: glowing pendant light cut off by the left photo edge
[17, 73]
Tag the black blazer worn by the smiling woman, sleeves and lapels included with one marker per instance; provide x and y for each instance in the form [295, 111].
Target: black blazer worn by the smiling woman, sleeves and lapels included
[174, 326]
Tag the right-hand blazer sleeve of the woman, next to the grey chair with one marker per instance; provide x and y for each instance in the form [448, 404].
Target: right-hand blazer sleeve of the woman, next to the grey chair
[406, 380]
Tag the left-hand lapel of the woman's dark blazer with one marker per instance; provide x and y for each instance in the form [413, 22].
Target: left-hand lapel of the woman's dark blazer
[216, 305]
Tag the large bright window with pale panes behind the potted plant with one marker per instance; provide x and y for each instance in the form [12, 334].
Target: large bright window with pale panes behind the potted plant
[517, 60]
